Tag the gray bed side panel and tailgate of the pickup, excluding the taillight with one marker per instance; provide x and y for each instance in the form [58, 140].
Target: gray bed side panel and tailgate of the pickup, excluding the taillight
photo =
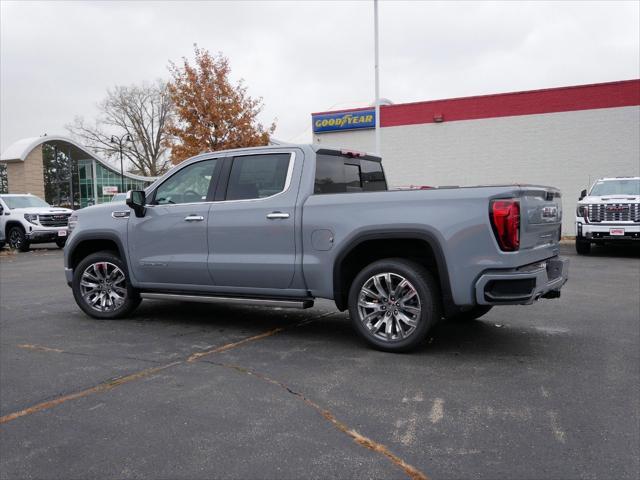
[456, 218]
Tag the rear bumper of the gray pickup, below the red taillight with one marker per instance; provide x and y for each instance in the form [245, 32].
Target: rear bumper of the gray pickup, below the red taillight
[524, 285]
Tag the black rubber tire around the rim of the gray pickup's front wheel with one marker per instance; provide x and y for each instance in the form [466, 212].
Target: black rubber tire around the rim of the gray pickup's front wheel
[131, 300]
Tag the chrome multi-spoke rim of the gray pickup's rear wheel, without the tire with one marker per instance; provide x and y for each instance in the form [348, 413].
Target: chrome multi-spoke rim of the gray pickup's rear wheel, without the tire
[389, 306]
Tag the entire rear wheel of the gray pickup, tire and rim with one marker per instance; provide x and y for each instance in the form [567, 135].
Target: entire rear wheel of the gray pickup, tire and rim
[393, 303]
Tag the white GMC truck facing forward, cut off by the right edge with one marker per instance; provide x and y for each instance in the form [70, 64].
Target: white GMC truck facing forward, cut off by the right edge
[609, 213]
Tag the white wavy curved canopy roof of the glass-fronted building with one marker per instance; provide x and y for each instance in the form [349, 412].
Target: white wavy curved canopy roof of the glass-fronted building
[18, 152]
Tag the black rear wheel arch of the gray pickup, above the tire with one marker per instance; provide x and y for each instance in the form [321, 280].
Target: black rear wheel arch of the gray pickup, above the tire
[421, 246]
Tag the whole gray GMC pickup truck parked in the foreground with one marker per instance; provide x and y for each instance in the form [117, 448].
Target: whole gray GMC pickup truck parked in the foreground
[282, 226]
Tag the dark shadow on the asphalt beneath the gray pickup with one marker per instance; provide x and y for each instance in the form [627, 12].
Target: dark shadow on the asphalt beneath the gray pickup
[331, 330]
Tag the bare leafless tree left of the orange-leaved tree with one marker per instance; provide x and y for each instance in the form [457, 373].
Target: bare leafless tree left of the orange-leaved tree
[142, 111]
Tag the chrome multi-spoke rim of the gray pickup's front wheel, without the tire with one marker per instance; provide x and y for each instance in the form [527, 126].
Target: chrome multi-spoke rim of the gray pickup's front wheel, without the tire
[103, 286]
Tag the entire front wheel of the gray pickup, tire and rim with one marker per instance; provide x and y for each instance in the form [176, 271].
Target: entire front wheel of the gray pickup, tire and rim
[101, 286]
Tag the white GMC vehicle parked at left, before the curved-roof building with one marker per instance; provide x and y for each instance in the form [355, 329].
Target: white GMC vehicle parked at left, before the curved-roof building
[27, 219]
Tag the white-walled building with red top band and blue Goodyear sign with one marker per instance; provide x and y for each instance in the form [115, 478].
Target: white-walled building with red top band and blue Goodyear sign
[564, 137]
